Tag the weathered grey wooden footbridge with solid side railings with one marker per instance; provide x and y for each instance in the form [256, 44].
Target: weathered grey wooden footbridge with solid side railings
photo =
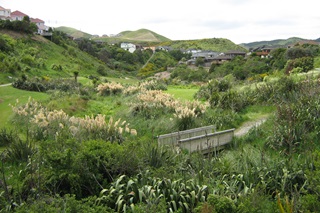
[203, 139]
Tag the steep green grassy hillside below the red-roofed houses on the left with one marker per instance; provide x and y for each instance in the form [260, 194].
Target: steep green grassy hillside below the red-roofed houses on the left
[36, 56]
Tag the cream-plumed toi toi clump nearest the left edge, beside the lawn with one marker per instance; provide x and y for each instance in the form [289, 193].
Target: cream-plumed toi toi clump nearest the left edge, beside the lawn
[45, 124]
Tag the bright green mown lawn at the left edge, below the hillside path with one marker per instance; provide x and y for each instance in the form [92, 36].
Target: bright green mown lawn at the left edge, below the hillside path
[9, 95]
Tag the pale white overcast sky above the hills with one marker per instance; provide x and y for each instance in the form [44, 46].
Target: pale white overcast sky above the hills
[240, 21]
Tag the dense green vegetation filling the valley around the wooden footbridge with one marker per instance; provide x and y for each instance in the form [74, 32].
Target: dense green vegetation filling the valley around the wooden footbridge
[91, 147]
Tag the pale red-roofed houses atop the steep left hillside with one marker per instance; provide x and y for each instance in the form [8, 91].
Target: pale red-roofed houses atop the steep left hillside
[6, 14]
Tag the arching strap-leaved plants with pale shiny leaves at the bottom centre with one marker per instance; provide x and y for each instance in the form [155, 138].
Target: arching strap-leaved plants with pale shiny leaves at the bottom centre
[125, 193]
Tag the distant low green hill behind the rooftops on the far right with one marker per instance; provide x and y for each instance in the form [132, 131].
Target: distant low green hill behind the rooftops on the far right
[274, 43]
